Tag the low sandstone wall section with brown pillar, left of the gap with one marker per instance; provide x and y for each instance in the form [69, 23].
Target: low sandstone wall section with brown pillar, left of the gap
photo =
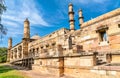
[57, 65]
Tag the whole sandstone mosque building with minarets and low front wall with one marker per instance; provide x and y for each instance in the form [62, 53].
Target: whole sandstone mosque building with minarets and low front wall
[70, 51]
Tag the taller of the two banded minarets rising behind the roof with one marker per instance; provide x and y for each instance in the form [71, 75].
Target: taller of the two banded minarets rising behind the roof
[71, 17]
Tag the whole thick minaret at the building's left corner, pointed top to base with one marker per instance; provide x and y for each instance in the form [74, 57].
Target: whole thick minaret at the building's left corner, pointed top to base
[26, 38]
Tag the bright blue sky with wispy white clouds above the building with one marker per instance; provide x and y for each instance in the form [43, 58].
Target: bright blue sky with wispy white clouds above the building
[46, 16]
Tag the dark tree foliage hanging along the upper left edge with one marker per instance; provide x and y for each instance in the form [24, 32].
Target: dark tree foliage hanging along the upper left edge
[3, 30]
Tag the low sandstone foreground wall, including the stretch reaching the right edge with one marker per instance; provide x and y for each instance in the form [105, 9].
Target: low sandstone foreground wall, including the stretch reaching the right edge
[83, 66]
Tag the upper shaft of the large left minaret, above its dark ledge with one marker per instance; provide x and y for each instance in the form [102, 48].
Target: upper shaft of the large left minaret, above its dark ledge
[26, 29]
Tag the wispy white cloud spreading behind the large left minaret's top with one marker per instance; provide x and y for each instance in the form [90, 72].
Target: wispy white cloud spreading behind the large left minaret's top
[17, 12]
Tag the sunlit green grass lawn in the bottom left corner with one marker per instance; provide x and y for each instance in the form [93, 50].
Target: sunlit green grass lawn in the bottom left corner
[7, 72]
